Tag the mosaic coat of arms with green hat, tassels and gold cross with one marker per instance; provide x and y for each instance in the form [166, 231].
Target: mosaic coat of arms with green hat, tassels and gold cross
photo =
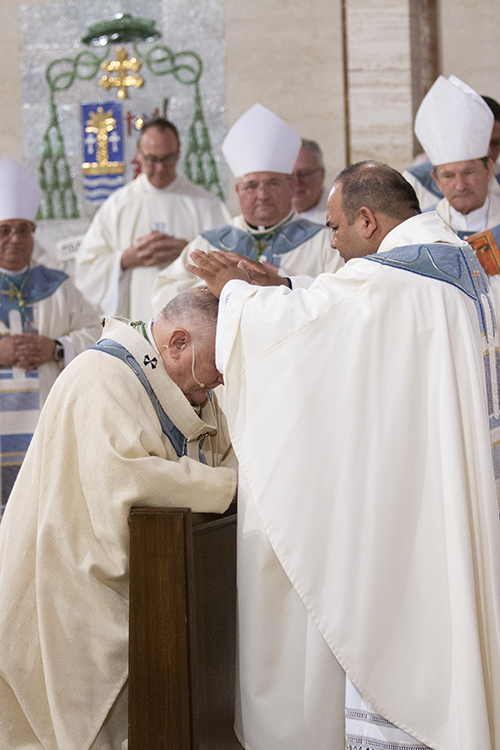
[106, 134]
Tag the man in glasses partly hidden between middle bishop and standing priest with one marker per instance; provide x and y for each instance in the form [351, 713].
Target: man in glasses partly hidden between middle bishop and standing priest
[310, 195]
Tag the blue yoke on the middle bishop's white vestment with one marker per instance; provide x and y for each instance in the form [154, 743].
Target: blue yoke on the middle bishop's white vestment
[267, 246]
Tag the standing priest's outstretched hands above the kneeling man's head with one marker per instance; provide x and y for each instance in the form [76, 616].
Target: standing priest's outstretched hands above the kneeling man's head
[217, 267]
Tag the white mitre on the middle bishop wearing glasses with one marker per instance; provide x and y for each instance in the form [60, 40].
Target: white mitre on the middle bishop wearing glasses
[260, 141]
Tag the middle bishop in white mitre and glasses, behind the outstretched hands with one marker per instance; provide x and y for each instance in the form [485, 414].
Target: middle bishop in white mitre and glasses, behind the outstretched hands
[261, 150]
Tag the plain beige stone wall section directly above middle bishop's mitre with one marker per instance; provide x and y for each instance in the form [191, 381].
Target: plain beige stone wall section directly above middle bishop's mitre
[287, 55]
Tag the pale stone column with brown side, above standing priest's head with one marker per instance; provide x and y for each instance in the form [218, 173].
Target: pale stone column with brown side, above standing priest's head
[390, 60]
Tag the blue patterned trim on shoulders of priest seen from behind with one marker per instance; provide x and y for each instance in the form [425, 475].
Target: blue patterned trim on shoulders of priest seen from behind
[459, 266]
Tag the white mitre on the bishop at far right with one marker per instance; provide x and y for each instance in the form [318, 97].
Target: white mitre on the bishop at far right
[453, 122]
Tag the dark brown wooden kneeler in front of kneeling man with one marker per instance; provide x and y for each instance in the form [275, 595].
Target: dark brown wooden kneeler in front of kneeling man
[182, 630]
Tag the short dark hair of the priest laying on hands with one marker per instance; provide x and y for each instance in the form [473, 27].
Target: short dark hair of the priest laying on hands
[380, 188]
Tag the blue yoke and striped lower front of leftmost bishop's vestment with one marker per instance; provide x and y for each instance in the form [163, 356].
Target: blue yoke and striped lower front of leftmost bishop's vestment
[19, 389]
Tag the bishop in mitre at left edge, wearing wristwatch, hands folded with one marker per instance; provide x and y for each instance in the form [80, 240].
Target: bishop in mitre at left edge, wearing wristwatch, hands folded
[44, 321]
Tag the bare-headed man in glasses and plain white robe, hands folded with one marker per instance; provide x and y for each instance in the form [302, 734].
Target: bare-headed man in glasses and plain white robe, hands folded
[143, 226]
